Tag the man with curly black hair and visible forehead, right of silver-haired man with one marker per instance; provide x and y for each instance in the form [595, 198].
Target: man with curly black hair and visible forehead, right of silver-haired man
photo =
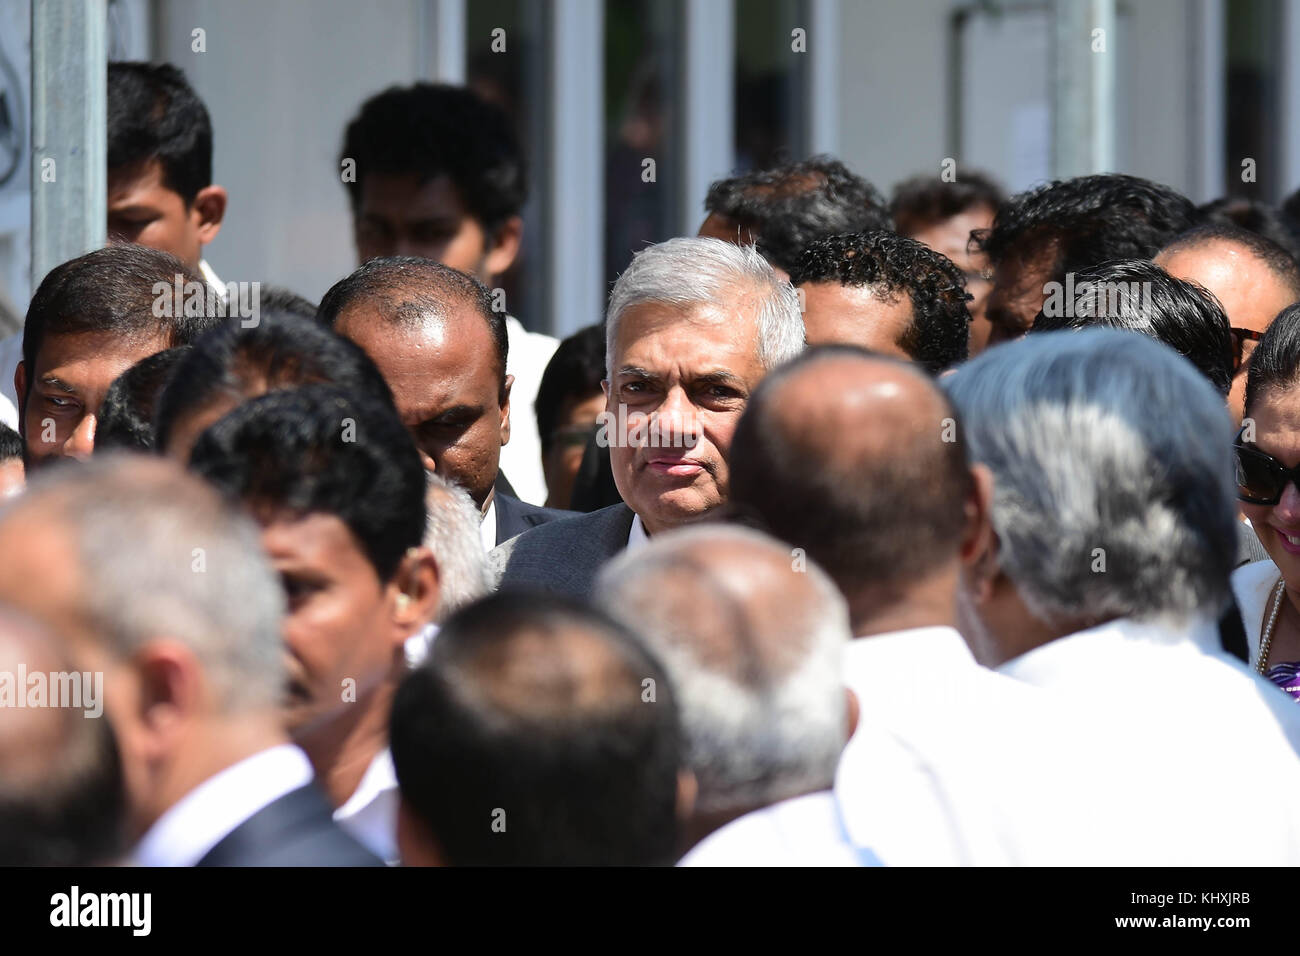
[885, 293]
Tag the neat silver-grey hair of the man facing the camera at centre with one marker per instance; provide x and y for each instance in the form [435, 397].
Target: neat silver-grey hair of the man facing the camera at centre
[690, 271]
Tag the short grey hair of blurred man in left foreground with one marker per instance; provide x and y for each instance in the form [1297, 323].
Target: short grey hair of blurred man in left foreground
[162, 556]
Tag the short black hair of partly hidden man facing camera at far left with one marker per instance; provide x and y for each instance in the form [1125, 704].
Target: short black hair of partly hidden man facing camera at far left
[118, 289]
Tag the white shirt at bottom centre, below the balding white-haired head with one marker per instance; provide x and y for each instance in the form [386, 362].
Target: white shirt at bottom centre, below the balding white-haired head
[801, 832]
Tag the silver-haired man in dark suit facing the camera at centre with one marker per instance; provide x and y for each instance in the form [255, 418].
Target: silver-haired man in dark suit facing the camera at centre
[694, 326]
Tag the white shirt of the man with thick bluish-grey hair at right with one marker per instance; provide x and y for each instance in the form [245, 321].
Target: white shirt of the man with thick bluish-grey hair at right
[1208, 750]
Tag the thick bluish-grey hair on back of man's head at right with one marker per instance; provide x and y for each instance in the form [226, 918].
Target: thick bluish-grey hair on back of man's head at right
[1113, 479]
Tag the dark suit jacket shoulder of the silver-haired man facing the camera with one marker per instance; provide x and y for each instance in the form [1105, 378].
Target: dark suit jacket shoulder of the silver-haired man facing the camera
[562, 556]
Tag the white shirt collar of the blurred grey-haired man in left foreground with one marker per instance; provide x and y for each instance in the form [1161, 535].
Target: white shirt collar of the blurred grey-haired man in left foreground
[210, 812]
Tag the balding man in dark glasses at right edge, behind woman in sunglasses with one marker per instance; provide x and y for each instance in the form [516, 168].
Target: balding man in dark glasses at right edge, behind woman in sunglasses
[1253, 278]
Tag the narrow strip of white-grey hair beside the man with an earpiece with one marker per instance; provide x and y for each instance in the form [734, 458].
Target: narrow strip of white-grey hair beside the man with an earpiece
[452, 534]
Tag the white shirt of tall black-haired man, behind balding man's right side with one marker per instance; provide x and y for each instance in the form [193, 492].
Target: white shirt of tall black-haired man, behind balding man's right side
[522, 457]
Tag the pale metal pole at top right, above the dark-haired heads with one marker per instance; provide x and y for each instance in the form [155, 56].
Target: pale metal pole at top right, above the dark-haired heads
[1084, 88]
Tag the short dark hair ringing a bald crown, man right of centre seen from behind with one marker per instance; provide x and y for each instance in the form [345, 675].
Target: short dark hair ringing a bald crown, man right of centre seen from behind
[874, 521]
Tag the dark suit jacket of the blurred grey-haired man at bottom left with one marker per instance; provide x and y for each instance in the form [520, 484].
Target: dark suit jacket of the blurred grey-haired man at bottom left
[296, 830]
